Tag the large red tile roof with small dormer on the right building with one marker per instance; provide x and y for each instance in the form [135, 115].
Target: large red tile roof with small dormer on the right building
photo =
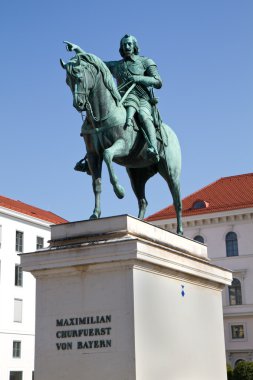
[228, 193]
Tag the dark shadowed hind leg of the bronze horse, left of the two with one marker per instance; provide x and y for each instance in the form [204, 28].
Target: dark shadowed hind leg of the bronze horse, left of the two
[138, 178]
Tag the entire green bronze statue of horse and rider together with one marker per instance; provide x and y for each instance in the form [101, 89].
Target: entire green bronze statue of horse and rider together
[122, 123]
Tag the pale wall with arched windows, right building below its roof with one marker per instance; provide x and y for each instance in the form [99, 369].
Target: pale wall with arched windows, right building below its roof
[214, 227]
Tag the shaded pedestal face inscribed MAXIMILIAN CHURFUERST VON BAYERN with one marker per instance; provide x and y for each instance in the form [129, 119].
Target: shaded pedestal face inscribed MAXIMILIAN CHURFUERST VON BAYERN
[77, 293]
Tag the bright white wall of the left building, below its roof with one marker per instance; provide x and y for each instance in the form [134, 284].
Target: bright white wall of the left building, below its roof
[10, 331]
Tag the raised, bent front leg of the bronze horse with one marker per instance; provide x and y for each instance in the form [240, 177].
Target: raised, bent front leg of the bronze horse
[118, 149]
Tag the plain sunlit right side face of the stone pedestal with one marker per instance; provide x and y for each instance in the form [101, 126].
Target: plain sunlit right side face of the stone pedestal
[179, 337]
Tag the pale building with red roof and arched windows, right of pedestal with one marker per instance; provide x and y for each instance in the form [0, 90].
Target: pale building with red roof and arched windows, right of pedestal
[221, 216]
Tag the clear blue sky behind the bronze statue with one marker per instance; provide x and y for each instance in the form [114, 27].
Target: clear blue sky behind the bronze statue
[204, 52]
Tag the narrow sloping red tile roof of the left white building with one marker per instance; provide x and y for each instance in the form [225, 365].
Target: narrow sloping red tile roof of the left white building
[26, 209]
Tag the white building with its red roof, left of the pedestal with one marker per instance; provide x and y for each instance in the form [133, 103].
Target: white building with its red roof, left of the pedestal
[23, 228]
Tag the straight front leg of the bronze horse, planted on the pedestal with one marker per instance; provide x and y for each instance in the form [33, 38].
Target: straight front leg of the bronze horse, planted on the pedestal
[95, 164]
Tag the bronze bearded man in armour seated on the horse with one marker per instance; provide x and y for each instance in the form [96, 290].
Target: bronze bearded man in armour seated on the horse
[143, 72]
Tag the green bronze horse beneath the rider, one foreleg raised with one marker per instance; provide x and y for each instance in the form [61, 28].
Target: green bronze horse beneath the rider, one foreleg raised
[107, 138]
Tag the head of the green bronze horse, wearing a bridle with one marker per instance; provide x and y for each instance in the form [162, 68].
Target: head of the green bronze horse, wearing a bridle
[80, 78]
